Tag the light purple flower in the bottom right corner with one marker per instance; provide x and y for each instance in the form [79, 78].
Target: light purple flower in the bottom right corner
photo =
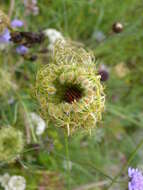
[136, 179]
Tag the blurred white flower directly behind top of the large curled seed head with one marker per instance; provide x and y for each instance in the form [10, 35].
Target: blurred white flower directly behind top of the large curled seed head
[53, 35]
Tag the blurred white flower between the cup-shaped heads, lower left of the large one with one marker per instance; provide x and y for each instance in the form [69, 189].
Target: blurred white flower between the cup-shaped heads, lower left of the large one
[38, 123]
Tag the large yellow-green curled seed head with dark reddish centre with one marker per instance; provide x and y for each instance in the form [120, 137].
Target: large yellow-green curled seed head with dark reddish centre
[69, 89]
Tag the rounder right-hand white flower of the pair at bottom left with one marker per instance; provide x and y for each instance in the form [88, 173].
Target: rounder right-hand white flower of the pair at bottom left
[17, 183]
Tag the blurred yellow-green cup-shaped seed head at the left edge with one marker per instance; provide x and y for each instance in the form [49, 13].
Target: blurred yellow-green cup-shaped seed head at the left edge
[11, 143]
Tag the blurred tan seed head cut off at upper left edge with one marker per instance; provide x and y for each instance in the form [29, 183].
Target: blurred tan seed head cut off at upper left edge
[4, 22]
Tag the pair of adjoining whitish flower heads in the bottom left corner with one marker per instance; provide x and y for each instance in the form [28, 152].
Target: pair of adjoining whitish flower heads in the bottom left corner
[12, 182]
